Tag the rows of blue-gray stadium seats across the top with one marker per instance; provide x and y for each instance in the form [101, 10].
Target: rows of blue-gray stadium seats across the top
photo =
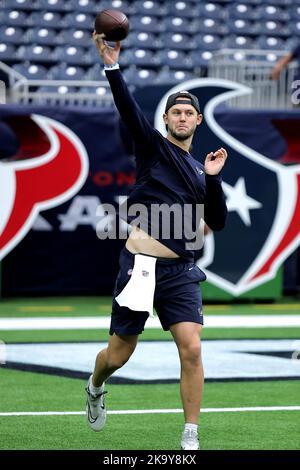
[165, 36]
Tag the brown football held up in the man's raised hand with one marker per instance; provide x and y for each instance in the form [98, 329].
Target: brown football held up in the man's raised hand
[113, 24]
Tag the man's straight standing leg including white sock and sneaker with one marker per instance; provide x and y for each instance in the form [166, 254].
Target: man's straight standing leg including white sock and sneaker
[187, 338]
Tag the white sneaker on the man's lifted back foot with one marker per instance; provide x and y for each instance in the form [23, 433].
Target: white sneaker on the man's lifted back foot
[95, 408]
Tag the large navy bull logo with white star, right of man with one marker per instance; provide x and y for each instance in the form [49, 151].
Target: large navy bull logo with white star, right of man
[263, 199]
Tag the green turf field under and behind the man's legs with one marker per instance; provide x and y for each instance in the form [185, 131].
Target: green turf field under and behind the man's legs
[219, 429]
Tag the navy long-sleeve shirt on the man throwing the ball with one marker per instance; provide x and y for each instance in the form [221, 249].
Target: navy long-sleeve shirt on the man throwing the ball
[166, 174]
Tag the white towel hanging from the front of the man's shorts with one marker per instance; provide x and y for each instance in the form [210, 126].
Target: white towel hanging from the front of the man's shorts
[138, 294]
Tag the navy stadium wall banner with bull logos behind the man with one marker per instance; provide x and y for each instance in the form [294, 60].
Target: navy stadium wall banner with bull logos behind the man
[57, 244]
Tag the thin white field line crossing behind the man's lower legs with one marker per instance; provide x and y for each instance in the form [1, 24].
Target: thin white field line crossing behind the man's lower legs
[160, 411]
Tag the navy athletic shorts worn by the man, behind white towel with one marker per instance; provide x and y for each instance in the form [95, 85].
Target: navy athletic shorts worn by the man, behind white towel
[177, 296]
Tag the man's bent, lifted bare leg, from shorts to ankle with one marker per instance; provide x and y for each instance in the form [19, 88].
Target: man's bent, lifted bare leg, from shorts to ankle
[119, 350]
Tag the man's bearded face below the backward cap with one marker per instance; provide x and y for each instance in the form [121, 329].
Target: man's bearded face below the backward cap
[182, 120]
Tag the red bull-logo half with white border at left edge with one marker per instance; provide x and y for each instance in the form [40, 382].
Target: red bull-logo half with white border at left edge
[30, 186]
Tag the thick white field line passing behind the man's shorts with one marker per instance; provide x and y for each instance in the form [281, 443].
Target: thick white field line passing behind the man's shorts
[85, 323]
